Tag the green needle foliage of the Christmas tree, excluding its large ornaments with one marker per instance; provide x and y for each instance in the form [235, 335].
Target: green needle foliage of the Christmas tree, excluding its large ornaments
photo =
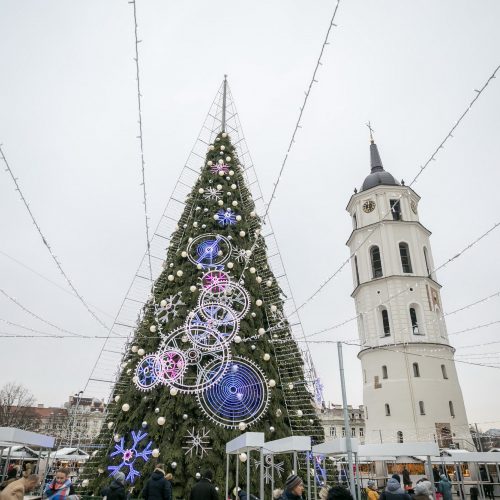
[182, 412]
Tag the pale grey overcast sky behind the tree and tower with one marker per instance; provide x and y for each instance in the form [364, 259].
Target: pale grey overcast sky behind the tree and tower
[68, 122]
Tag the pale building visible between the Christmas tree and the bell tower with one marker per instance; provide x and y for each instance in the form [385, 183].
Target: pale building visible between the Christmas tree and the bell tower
[332, 419]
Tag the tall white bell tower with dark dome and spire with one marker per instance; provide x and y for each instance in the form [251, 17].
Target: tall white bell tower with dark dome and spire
[411, 390]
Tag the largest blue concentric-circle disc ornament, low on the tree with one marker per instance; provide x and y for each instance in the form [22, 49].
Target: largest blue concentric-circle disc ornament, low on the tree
[240, 396]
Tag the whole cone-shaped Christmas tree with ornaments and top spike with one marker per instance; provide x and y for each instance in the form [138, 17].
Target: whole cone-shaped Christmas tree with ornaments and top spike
[213, 354]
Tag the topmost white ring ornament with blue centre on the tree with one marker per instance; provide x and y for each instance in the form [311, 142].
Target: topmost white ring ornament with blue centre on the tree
[209, 250]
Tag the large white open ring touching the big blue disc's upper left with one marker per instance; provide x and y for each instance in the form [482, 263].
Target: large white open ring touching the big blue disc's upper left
[196, 359]
